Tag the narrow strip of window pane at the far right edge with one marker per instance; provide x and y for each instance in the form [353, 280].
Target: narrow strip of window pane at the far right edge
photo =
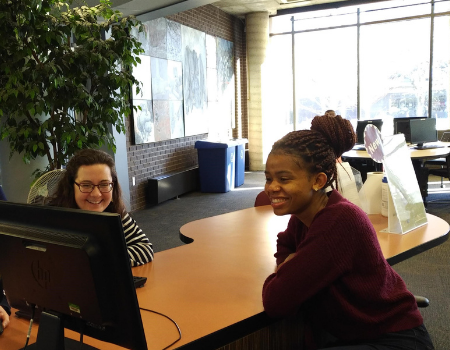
[441, 76]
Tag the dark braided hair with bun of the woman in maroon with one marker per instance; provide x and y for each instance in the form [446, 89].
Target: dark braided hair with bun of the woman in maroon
[318, 148]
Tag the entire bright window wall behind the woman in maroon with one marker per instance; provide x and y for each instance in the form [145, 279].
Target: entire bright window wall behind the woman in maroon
[379, 68]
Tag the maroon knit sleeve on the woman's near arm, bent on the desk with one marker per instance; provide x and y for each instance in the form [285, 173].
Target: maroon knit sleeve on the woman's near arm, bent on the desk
[324, 254]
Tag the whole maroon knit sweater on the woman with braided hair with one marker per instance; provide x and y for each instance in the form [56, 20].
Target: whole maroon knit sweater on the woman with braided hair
[340, 275]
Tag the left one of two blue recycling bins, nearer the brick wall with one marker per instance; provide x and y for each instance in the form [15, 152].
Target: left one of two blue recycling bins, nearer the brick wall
[216, 165]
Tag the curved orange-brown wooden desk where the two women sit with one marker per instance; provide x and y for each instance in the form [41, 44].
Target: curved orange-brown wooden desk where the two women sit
[212, 287]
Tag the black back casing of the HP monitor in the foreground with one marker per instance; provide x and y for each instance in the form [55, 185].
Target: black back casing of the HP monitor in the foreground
[105, 251]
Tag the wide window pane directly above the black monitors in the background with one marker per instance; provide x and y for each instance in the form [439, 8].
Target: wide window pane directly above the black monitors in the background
[394, 71]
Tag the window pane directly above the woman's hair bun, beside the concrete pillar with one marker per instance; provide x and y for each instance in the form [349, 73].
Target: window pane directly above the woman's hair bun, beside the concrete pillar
[326, 75]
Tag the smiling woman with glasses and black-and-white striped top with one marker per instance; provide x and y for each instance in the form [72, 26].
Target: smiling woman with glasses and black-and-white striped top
[90, 183]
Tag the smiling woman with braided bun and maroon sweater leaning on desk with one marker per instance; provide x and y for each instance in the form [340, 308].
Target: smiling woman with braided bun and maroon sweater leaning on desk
[329, 262]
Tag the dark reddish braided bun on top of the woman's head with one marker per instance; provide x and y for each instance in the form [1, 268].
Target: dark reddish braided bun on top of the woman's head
[337, 131]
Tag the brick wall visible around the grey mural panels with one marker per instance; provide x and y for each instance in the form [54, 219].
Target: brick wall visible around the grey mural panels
[151, 159]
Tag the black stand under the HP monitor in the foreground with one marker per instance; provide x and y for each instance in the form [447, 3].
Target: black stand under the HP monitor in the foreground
[51, 335]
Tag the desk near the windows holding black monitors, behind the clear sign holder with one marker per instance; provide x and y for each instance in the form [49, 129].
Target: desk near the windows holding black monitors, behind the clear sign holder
[418, 157]
